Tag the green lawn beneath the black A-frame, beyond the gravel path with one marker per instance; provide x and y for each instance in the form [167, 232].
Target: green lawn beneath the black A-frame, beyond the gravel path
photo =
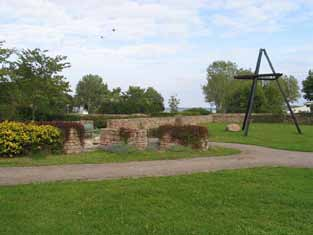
[280, 136]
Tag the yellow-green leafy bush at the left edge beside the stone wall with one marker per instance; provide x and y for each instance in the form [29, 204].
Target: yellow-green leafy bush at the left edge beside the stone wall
[18, 138]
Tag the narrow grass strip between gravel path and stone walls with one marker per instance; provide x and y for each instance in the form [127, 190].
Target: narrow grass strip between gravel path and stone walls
[105, 157]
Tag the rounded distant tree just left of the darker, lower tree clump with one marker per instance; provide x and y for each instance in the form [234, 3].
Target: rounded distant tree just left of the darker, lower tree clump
[91, 92]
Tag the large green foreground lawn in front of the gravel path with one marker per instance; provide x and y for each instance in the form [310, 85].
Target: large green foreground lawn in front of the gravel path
[275, 201]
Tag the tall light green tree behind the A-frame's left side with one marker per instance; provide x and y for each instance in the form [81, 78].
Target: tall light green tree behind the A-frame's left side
[220, 83]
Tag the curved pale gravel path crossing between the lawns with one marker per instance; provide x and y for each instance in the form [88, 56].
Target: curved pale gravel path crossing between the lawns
[250, 156]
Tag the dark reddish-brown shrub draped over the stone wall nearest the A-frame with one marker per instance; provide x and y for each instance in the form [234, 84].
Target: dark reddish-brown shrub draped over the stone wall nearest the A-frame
[187, 135]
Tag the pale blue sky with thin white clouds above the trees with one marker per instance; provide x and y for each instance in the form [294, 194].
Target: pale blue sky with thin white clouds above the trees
[164, 44]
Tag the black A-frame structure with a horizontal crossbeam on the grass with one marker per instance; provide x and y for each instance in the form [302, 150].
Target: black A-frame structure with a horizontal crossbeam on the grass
[255, 77]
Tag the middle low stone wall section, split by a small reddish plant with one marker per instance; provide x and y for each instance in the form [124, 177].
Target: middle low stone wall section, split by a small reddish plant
[138, 138]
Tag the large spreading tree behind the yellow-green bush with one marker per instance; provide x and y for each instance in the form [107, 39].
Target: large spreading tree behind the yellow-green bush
[41, 87]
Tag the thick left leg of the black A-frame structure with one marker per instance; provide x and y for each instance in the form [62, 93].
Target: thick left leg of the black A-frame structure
[252, 94]
